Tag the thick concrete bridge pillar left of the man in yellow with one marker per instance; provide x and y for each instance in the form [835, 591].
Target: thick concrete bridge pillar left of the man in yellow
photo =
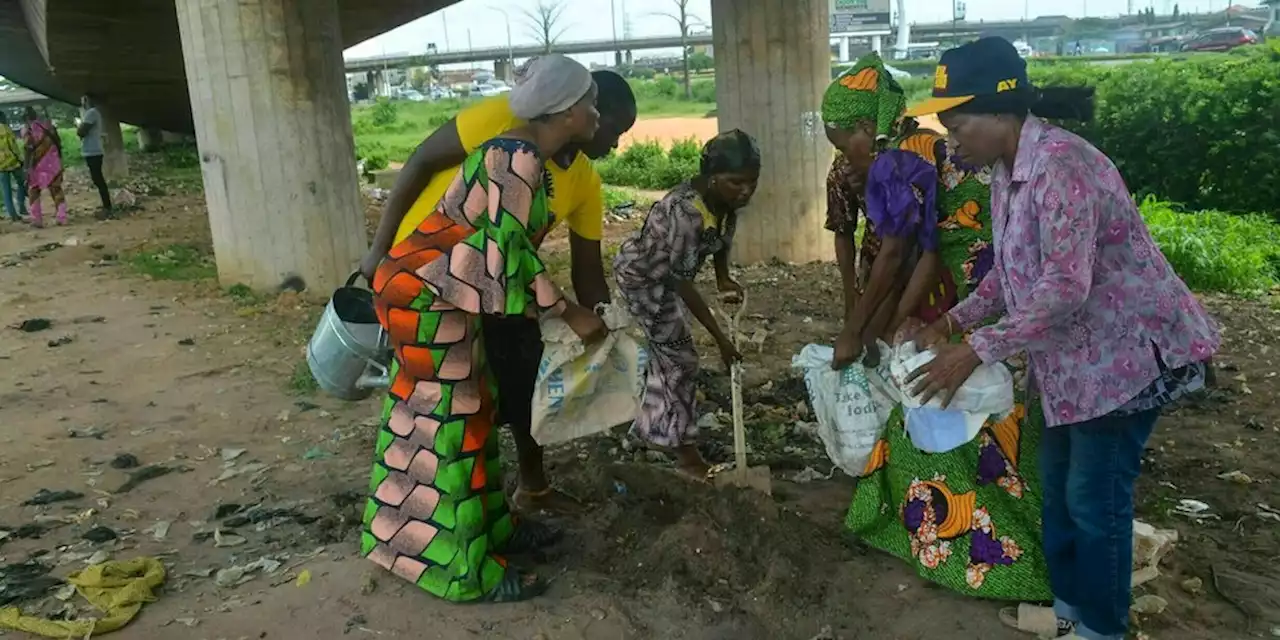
[269, 98]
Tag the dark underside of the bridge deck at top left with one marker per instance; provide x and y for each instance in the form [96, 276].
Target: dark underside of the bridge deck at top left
[130, 52]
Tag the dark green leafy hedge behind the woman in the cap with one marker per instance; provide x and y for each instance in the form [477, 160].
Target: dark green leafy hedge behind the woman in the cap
[1203, 131]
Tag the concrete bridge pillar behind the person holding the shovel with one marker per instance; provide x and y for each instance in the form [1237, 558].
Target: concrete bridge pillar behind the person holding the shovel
[772, 67]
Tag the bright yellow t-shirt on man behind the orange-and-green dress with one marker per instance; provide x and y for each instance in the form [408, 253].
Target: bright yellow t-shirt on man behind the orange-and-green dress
[577, 196]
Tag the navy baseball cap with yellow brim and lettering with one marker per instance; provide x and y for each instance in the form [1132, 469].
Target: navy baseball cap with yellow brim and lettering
[981, 68]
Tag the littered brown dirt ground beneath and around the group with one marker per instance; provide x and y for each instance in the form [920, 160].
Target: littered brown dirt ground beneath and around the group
[176, 410]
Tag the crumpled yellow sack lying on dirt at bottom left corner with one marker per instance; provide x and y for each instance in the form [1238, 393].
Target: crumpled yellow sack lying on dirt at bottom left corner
[118, 589]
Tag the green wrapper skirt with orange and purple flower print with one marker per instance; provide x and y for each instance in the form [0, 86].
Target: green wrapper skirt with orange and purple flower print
[970, 519]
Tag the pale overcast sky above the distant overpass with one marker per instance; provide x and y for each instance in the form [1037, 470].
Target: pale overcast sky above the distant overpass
[591, 20]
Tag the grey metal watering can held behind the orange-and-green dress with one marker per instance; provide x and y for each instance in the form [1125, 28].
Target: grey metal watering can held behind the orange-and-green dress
[349, 353]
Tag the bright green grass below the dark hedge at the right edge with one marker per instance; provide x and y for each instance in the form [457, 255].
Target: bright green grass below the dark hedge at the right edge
[1215, 252]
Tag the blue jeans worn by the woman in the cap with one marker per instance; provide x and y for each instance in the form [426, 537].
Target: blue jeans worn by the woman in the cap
[1089, 472]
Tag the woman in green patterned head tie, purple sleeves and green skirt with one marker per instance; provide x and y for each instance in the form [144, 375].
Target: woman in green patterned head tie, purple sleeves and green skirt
[966, 519]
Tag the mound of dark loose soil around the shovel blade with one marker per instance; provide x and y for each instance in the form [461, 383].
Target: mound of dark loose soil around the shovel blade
[655, 532]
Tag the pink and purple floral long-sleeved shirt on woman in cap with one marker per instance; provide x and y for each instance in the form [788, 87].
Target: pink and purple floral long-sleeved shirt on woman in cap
[1080, 282]
